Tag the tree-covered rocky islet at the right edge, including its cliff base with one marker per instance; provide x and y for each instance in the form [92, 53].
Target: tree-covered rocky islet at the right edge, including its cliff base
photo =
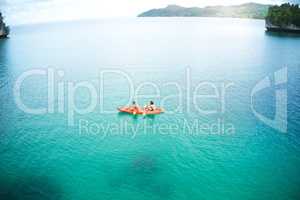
[284, 18]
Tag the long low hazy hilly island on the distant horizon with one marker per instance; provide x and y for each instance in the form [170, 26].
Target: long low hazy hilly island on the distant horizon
[248, 10]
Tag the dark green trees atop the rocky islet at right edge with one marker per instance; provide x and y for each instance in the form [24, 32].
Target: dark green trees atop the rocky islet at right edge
[284, 15]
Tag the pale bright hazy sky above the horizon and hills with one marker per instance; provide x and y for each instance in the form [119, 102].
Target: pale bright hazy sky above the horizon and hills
[33, 11]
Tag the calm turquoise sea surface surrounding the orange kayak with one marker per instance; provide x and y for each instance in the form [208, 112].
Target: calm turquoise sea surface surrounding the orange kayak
[204, 147]
